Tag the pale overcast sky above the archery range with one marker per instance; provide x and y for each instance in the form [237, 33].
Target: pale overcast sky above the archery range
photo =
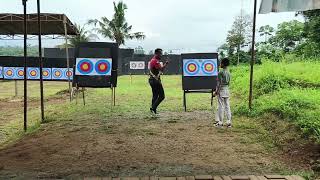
[187, 25]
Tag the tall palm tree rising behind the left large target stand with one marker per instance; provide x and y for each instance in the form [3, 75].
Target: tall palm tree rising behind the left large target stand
[117, 29]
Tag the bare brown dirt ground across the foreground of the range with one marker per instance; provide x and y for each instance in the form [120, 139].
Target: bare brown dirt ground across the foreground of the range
[173, 144]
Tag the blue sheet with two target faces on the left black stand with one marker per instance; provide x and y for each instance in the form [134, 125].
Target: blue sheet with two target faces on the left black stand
[93, 67]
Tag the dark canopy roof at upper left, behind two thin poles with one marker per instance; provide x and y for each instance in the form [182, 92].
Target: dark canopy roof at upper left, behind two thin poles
[51, 24]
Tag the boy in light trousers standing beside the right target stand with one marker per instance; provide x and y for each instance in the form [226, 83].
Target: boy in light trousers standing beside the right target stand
[223, 94]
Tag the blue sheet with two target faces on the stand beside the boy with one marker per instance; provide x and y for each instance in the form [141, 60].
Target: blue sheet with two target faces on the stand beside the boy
[200, 67]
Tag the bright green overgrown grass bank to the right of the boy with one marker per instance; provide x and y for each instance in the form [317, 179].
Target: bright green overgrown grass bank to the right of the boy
[288, 90]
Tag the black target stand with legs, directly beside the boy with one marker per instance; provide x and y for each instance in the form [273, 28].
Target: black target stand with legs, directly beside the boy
[199, 74]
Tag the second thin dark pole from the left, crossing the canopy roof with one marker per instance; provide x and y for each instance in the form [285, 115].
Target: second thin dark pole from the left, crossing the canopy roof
[41, 62]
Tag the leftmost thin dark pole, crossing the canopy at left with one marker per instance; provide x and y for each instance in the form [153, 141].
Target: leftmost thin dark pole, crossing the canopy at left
[24, 2]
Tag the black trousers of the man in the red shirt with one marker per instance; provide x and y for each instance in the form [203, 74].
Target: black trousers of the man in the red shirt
[157, 92]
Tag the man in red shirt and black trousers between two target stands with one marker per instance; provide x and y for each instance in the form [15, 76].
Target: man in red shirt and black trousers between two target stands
[155, 82]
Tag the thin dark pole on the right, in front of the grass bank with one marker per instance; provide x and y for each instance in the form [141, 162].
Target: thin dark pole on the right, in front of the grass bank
[252, 52]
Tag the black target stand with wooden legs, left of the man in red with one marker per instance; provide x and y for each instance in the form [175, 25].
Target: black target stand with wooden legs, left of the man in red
[96, 66]
